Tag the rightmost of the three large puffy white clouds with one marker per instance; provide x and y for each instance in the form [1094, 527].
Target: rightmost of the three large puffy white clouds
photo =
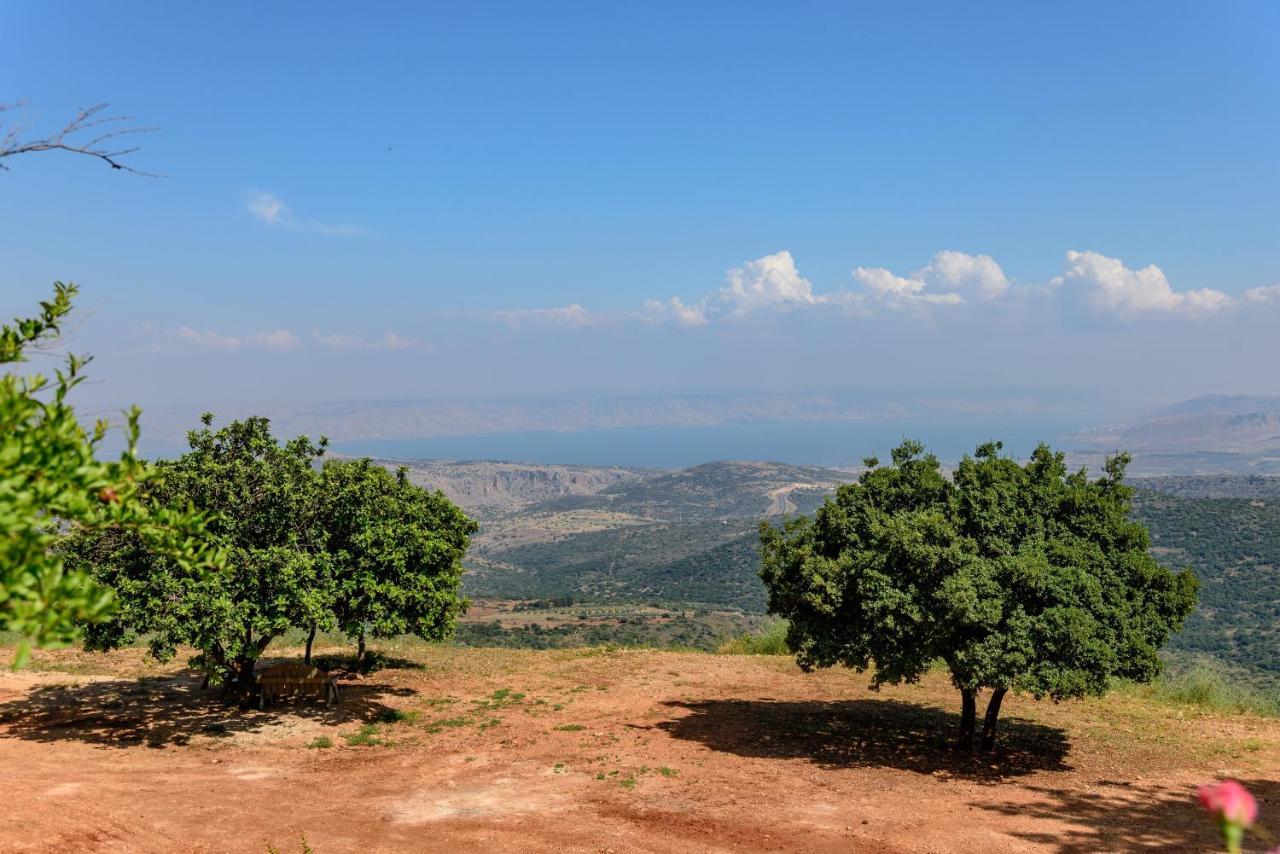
[1117, 290]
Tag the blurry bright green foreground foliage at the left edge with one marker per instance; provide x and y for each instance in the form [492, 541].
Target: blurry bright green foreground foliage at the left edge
[53, 482]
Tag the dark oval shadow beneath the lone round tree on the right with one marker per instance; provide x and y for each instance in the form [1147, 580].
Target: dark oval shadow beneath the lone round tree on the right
[867, 733]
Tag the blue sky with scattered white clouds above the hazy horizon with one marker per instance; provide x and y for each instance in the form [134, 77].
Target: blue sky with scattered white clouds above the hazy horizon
[418, 200]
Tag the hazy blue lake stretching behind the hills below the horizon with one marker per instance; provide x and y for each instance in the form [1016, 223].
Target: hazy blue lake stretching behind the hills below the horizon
[828, 444]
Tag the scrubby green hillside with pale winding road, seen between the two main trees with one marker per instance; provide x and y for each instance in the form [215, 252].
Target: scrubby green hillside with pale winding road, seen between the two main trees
[676, 537]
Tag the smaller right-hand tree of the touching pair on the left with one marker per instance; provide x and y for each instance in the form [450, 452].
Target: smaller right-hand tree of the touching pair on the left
[397, 552]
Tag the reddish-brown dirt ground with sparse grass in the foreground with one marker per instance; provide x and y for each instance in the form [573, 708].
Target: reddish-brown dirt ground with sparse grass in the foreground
[592, 751]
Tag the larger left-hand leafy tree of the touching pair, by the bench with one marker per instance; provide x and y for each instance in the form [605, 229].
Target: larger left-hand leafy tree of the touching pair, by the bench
[262, 500]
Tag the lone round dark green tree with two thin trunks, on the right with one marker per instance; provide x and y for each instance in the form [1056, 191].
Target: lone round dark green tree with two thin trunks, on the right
[1017, 577]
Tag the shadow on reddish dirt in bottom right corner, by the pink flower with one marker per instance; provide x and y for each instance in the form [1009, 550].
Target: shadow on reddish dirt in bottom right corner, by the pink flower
[1119, 818]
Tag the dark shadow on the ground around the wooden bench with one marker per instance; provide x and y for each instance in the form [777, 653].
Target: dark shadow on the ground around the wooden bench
[168, 711]
